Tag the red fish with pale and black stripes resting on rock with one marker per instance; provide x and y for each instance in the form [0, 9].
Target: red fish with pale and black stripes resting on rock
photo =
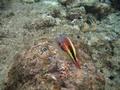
[66, 44]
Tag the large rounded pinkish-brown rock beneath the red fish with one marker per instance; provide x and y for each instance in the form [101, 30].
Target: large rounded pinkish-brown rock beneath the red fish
[45, 66]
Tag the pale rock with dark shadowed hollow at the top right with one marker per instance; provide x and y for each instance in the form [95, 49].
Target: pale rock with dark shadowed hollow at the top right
[95, 7]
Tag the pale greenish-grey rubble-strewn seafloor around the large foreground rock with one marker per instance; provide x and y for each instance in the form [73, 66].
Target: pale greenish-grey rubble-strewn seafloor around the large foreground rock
[26, 21]
